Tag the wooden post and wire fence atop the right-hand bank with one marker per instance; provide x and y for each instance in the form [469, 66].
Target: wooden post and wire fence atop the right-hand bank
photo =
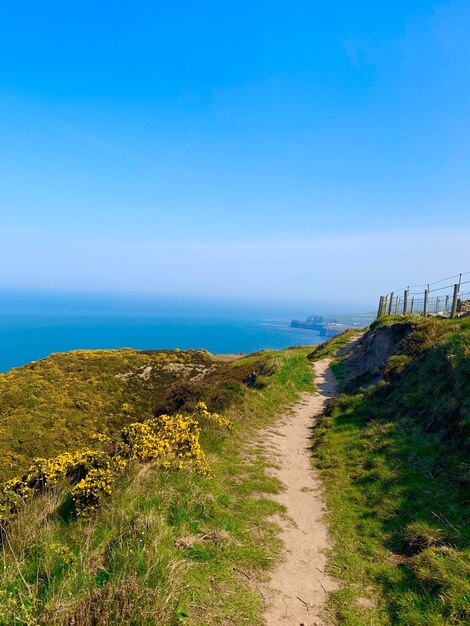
[448, 297]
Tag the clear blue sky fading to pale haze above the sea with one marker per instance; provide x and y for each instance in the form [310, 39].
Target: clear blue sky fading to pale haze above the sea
[273, 150]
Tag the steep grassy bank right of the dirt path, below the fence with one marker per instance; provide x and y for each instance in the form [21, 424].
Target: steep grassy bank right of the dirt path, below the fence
[394, 451]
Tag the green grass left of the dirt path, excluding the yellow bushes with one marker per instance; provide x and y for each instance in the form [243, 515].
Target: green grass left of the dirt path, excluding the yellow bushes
[167, 547]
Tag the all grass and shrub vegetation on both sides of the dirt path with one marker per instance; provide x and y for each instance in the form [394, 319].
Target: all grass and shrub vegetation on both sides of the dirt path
[153, 506]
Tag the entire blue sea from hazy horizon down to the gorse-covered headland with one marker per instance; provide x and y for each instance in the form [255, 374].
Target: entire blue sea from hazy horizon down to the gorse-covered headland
[34, 326]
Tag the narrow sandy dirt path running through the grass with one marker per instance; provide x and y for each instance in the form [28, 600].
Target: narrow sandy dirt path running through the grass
[299, 585]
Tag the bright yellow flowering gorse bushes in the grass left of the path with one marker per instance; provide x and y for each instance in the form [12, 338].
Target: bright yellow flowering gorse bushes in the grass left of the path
[170, 441]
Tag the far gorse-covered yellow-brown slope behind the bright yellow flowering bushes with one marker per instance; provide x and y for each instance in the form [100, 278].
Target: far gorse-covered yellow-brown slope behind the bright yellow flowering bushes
[54, 405]
